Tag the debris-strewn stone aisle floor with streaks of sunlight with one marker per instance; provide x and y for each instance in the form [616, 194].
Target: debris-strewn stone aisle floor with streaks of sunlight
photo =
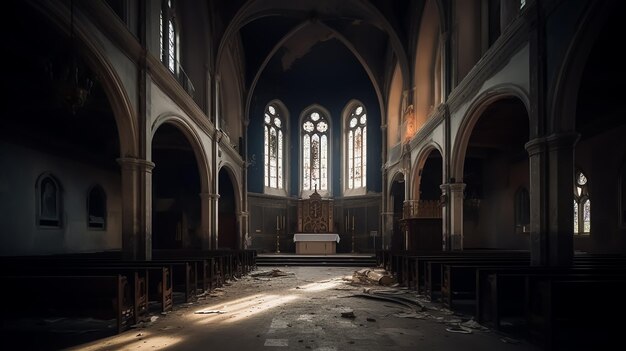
[307, 308]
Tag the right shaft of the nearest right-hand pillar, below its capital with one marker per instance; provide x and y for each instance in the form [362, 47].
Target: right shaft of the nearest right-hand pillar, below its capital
[560, 193]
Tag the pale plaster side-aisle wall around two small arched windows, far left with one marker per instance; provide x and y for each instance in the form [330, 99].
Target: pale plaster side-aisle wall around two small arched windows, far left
[21, 167]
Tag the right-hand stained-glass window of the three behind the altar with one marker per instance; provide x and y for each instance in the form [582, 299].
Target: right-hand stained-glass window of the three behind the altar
[356, 146]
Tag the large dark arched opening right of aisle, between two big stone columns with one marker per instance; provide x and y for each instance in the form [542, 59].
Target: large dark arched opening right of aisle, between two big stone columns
[495, 170]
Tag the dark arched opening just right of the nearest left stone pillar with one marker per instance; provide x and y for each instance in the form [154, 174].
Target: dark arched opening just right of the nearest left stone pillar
[176, 218]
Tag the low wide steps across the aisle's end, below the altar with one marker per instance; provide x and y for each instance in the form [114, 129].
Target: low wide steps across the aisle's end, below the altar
[338, 260]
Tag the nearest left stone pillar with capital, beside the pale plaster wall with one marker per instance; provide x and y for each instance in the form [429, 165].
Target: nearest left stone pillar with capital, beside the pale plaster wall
[136, 208]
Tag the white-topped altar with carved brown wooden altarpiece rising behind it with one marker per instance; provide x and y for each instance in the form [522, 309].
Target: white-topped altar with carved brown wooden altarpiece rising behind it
[315, 234]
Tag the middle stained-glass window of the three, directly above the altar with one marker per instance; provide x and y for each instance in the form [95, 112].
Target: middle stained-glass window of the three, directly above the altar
[315, 151]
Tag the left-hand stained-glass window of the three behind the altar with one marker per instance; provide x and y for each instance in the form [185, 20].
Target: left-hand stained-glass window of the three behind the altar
[274, 149]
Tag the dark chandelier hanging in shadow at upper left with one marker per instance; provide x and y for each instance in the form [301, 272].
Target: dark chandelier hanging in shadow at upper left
[70, 78]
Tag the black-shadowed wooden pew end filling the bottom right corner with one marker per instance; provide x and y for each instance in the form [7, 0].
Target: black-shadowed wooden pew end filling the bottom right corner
[573, 312]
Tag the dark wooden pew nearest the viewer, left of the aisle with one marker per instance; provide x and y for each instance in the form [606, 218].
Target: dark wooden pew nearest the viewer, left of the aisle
[100, 297]
